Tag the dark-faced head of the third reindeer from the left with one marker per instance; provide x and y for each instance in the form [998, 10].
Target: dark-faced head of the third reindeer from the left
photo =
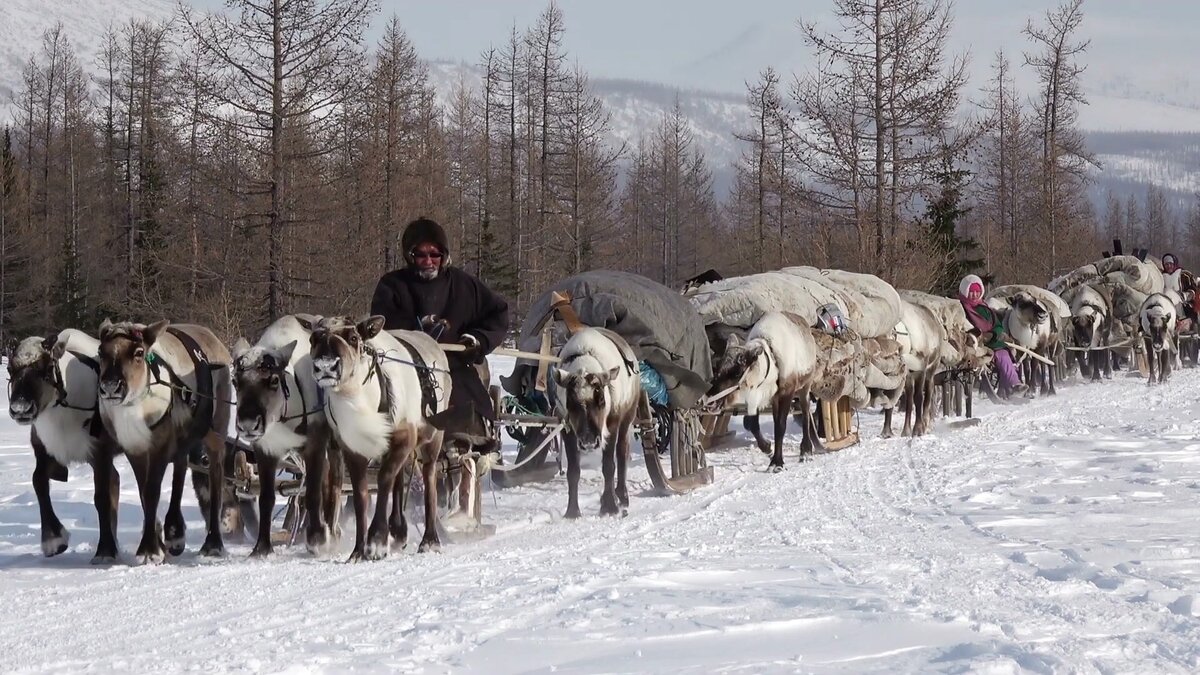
[260, 378]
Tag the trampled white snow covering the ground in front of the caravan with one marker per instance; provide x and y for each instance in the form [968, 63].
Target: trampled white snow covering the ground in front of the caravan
[1055, 536]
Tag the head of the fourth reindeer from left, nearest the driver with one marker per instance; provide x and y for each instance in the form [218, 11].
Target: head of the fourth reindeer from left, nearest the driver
[339, 349]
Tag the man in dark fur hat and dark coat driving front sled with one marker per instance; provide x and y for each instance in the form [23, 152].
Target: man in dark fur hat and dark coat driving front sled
[454, 308]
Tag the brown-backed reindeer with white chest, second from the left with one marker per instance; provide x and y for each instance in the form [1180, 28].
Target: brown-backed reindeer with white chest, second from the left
[163, 390]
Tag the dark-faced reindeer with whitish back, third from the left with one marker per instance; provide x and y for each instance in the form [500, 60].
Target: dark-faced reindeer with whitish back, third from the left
[279, 413]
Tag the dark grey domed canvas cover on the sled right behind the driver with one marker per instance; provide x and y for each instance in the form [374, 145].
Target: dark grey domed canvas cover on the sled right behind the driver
[658, 324]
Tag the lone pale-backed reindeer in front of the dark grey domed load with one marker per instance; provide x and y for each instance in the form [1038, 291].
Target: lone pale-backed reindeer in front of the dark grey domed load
[598, 391]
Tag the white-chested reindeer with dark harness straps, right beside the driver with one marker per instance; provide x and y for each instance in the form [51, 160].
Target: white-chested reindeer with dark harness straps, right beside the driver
[380, 390]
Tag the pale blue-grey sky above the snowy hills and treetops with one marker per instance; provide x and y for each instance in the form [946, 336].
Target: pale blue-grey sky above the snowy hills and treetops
[719, 45]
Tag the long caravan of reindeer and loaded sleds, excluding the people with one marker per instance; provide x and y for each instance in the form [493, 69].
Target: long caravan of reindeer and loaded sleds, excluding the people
[319, 393]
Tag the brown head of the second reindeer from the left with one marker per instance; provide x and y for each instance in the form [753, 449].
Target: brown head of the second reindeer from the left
[125, 360]
